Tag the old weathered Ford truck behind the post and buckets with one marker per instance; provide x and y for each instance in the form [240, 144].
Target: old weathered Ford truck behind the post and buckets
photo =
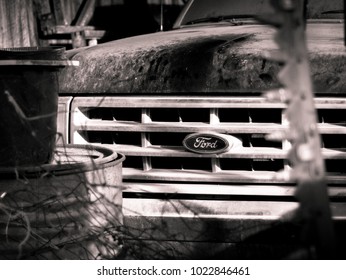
[144, 96]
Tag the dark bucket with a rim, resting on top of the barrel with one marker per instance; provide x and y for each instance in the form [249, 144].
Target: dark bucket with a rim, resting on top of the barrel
[29, 99]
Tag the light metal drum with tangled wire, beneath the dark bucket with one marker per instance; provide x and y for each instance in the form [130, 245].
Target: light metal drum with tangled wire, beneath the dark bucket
[69, 209]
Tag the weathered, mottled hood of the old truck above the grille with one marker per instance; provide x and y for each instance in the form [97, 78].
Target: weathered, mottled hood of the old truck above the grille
[207, 58]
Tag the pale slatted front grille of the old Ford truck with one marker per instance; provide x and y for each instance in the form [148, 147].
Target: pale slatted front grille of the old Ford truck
[149, 131]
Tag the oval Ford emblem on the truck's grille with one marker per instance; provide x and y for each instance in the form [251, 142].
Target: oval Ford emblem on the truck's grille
[210, 143]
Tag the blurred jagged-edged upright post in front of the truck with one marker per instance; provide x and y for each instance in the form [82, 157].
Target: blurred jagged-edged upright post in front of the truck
[305, 156]
